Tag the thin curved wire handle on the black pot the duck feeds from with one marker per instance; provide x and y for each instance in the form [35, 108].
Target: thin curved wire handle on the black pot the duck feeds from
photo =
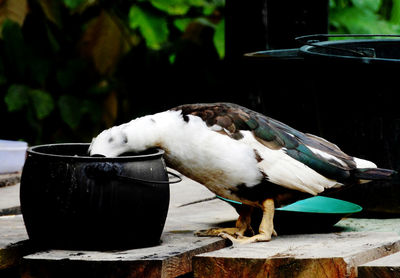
[110, 170]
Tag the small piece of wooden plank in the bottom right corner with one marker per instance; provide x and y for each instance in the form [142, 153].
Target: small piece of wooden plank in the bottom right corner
[386, 267]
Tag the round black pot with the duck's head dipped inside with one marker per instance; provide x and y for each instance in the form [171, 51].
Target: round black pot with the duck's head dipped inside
[70, 200]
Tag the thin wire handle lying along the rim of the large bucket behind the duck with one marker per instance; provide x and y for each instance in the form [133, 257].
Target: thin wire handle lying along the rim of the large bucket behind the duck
[313, 40]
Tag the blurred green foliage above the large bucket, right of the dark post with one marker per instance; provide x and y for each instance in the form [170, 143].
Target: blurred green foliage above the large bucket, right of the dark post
[364, 16]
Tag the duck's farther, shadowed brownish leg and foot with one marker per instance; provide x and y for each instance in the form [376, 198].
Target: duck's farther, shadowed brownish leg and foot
[242, 225]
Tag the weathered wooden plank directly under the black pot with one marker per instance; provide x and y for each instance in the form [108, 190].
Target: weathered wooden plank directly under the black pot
[170, 259]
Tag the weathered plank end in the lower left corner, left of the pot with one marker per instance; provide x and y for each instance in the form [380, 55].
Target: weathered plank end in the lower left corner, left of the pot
[13, 241]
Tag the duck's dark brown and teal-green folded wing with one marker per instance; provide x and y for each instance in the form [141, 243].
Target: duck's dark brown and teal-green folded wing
[276, 135]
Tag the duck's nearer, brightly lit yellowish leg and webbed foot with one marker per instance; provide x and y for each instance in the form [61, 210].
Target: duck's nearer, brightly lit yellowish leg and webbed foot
[266, 230]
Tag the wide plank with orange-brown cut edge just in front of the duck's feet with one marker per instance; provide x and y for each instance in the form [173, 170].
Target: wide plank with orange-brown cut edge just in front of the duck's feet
[312, 255]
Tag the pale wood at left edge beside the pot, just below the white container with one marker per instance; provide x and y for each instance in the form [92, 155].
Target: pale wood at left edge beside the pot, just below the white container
[9, 200]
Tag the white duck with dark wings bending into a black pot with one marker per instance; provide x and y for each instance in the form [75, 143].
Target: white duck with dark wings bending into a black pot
[241, 155]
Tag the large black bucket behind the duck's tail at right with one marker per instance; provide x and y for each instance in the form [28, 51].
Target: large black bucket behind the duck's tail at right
[355, 84]
